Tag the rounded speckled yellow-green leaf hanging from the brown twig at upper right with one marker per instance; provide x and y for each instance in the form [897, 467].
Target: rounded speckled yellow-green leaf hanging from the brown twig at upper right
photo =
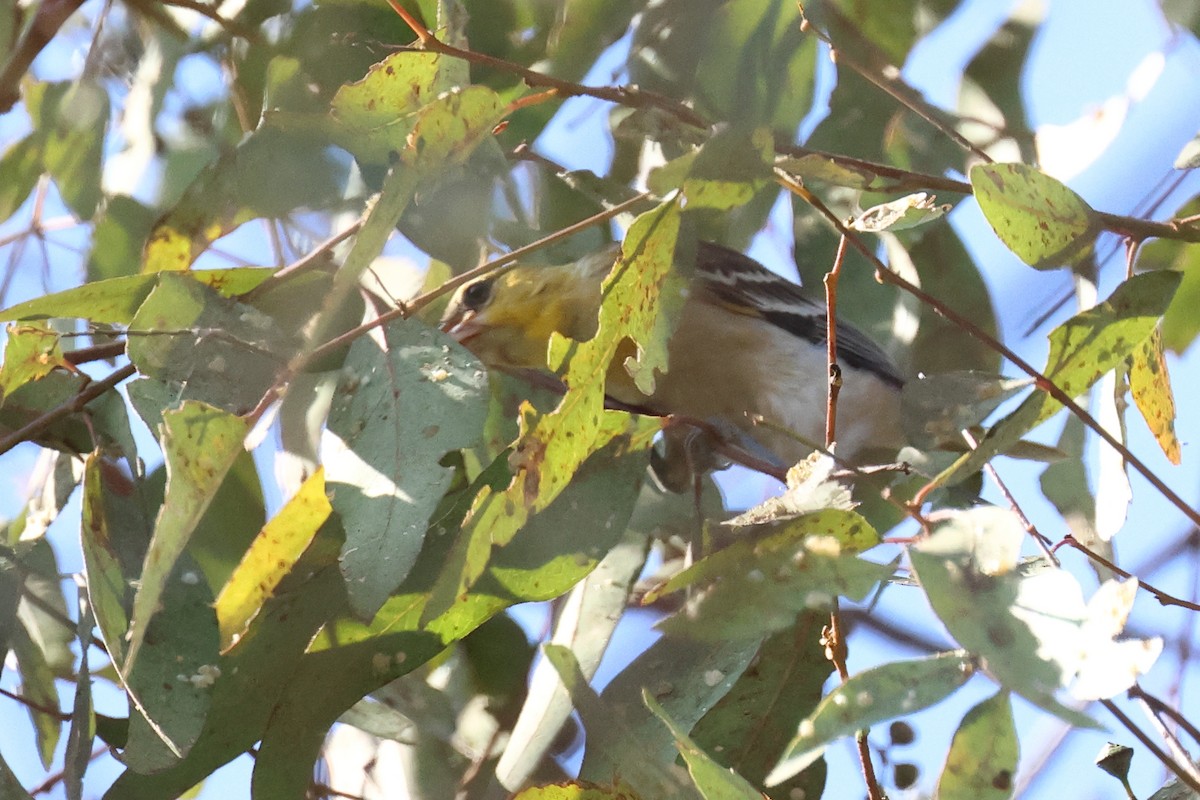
[1041, 220]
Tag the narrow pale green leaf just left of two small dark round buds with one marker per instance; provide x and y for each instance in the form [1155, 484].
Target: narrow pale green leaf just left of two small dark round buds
[885, 693]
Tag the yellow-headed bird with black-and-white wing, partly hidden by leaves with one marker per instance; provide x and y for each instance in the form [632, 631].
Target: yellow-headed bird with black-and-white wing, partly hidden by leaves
[749, 347]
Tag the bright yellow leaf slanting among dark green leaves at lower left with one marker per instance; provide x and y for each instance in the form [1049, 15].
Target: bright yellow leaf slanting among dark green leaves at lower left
[271, 558]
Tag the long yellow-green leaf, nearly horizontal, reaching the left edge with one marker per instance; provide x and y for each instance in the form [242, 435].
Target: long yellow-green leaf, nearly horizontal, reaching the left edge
[117, 300]
